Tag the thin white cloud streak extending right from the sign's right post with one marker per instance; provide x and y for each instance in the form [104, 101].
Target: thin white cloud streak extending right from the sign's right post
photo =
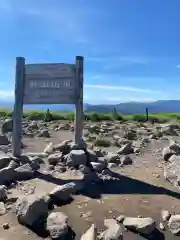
[118, 87]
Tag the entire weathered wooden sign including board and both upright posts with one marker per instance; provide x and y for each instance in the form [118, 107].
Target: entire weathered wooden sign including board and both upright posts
[57, 83]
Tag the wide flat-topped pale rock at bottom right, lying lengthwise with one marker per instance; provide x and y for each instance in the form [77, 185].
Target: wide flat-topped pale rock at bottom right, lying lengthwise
[142, 225]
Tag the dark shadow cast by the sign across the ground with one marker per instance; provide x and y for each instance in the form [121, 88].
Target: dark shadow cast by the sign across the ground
[122, 185]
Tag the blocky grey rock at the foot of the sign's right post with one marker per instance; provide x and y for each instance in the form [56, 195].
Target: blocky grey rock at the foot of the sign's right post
[76, 158]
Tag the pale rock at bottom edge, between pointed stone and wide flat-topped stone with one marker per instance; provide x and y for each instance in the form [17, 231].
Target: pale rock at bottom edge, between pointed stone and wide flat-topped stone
[113, 232]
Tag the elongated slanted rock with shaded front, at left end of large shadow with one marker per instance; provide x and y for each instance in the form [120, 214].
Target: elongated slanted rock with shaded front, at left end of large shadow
[64, 192]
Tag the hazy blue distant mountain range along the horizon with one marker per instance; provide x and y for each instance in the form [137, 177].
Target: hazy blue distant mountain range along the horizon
[124, 108]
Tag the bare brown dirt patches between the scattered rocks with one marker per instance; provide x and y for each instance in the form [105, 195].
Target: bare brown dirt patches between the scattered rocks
[140, 190]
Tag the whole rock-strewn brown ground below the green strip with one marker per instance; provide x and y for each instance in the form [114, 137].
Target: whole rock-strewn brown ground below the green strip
[122, 183]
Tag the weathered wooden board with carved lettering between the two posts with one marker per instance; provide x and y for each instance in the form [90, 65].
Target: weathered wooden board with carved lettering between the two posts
[50, 84]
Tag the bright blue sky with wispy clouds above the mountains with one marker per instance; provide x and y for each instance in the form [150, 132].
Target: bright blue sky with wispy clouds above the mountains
[131, 47]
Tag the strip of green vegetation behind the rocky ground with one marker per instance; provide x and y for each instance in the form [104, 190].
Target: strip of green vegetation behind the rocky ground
[41, 115]
